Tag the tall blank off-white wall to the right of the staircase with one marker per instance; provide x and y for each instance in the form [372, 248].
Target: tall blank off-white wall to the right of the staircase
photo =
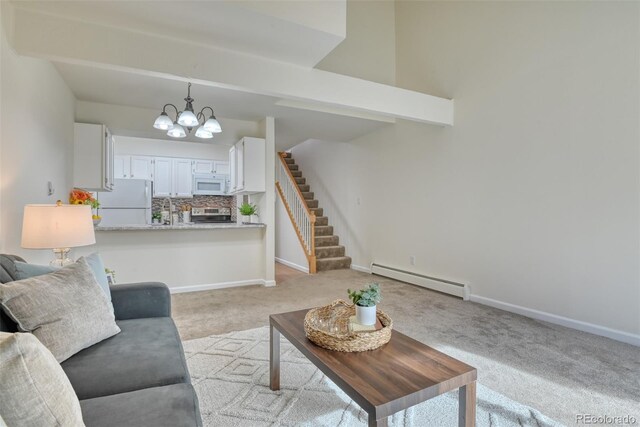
[533, 196]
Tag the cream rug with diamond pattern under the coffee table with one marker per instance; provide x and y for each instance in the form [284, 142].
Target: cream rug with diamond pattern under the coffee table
[230, 373]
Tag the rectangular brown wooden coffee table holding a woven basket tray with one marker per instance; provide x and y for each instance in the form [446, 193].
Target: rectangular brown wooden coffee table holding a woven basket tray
[398, 375]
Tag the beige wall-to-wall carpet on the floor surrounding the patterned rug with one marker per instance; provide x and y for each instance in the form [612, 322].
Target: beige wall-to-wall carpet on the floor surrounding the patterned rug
[558, 371]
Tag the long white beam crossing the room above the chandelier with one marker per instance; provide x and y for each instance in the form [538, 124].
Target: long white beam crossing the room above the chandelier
[64, 40]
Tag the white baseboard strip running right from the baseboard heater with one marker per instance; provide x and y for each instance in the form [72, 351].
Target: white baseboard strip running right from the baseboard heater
[614, 334]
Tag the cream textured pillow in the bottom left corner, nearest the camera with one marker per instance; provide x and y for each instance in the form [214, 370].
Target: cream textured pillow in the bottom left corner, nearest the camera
[34, 390]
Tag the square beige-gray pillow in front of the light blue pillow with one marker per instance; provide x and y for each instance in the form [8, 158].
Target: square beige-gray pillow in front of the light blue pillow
[66, 310]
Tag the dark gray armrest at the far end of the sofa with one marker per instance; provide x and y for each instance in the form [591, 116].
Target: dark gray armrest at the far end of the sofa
[140, 300]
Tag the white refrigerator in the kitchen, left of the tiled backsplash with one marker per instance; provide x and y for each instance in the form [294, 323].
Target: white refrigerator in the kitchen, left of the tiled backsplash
[128, 204]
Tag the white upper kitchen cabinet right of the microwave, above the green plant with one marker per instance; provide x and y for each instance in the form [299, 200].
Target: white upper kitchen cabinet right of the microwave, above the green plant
[247, 166]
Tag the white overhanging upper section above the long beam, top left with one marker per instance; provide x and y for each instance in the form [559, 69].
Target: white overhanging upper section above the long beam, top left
[283, 31]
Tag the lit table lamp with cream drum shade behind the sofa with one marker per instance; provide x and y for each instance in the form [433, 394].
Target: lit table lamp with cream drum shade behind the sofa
[58, 227]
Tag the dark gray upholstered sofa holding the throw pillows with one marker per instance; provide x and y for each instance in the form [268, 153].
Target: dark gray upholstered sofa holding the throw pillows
[138, 377]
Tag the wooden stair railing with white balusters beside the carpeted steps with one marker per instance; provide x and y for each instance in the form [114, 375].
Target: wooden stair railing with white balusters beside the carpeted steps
[302, 218]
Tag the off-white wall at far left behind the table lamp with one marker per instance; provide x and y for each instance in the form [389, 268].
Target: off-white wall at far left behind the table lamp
[36, 141]
